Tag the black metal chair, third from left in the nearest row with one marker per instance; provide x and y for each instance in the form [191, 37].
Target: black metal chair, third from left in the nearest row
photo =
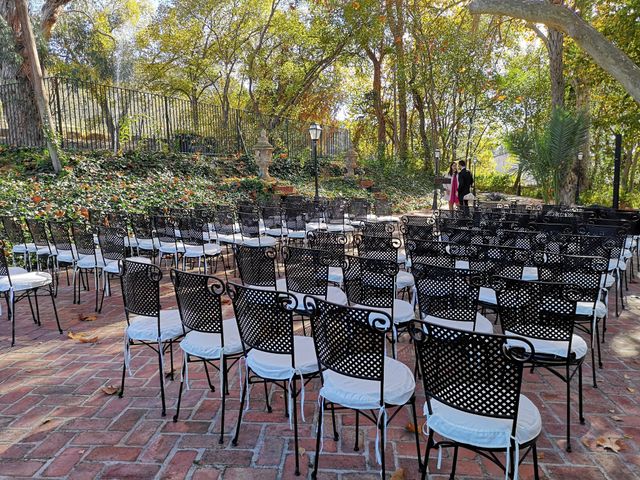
[273, 354]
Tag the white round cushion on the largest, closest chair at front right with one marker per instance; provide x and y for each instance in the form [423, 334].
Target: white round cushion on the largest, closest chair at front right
[481, 431]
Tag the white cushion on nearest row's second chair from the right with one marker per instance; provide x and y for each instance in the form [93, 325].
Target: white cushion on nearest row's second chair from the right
[357, 393]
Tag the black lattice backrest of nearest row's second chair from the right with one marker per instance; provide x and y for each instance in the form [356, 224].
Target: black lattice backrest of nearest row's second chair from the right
[350, 341]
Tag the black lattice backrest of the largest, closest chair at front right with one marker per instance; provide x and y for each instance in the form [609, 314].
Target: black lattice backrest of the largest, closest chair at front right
[472, 372]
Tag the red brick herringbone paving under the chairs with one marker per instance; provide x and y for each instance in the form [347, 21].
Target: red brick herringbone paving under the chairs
[57, 422]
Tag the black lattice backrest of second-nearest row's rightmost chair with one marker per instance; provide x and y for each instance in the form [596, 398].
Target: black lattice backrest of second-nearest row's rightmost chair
[540, 310]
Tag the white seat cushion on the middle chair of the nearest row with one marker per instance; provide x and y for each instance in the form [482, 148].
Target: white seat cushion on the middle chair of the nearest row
[277, 366]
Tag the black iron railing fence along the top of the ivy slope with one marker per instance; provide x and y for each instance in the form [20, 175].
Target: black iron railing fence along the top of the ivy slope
[91, 116]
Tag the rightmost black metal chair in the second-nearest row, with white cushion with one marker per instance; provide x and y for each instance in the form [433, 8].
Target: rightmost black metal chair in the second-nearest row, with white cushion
[544, 313]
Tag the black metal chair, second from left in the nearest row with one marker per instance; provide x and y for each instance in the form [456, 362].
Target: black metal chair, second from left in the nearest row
[208, 337]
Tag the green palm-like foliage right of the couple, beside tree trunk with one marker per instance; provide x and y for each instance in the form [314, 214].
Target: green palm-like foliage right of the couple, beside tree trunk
[549, 155]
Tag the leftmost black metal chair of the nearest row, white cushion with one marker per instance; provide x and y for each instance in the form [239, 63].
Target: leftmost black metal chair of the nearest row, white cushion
[147, 323]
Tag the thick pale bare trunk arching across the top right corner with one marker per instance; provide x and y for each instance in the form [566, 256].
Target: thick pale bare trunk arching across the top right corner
[603, 52]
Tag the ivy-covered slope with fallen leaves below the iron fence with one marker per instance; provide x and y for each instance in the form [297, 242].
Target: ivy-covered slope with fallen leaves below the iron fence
[136, 181]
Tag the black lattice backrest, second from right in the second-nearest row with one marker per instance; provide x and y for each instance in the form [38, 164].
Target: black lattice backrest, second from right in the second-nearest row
[447, 293]
